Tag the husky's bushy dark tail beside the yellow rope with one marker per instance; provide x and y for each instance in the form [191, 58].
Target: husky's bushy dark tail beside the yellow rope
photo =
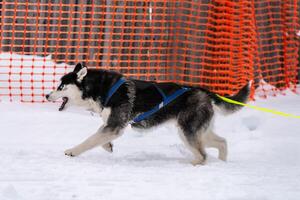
[228, 108]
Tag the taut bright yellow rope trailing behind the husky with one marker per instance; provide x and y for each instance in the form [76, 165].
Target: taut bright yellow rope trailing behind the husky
[275, 112]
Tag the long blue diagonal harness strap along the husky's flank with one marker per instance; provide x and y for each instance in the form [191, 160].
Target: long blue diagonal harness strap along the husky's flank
[165, 102]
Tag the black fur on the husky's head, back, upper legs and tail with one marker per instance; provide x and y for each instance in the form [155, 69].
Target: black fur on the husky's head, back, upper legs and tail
[193, 110]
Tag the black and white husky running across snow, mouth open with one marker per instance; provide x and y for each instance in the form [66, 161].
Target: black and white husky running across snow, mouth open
[193, 110]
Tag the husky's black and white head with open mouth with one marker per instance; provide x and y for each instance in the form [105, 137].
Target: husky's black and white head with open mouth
[69, 88]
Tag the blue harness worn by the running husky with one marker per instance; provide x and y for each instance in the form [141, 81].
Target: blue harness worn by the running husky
[145, 115]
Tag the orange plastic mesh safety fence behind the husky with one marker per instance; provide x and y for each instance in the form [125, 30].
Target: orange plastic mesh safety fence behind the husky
[216, 44]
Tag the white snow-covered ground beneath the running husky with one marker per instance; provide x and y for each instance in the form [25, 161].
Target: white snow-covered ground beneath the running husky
[263, 163]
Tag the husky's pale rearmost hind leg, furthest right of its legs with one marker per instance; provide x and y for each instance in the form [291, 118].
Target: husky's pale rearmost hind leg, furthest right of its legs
[213, 140]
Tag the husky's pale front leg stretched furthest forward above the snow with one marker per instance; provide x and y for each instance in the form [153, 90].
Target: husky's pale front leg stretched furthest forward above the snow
[103, 136]
